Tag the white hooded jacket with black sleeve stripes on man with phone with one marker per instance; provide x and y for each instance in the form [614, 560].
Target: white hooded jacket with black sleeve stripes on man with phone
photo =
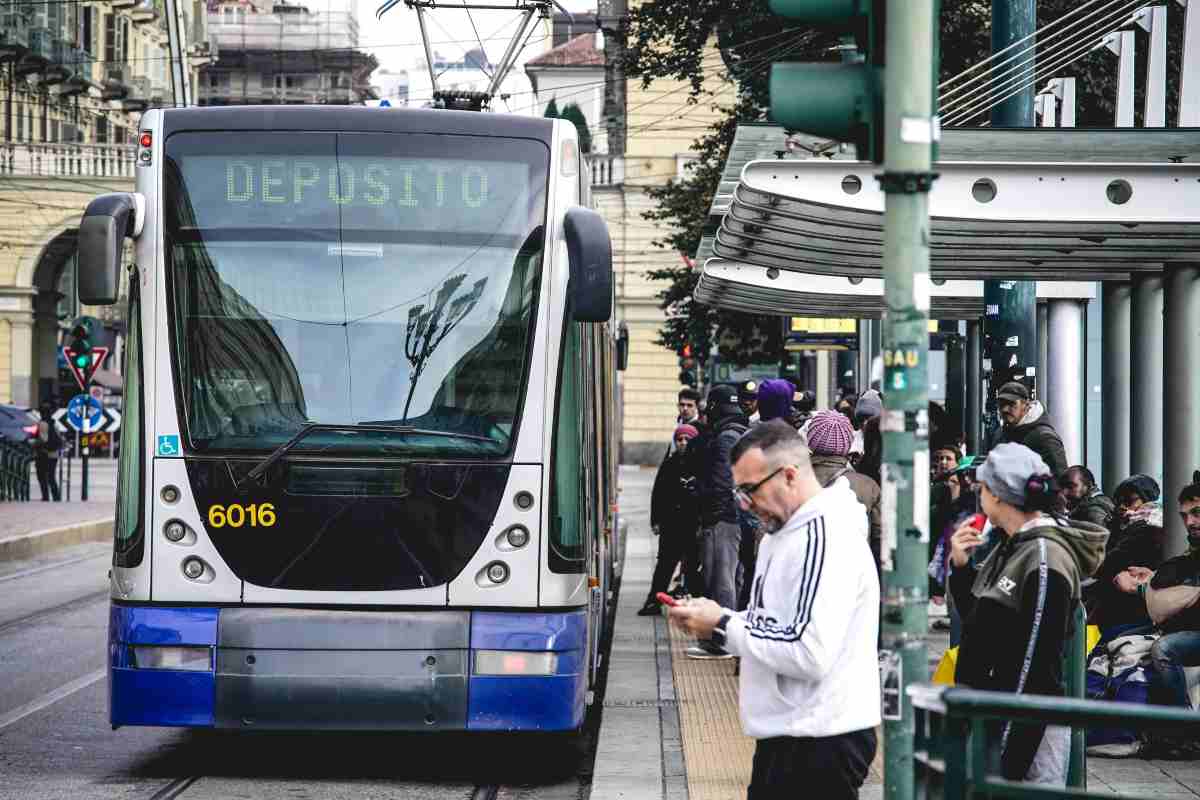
[808, 641]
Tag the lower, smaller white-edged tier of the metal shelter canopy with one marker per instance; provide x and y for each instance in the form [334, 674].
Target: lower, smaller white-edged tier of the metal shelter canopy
[759, 291]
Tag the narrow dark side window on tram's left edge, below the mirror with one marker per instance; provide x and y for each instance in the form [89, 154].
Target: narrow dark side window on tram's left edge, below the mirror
[130, 542]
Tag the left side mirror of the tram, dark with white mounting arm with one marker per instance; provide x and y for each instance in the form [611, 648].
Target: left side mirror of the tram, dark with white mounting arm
[107, 221]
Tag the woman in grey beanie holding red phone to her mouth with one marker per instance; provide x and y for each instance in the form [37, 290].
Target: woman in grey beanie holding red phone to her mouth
[1018, 606]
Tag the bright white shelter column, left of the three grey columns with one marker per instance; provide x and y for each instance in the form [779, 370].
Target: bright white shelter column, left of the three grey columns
[1065, 374]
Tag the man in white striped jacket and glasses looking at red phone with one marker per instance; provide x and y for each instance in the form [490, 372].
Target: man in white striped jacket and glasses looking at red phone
[811, 682]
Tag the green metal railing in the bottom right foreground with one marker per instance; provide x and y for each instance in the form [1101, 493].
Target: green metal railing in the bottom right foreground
[952, 751]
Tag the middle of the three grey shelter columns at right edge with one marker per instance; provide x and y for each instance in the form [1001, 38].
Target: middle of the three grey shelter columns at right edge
[1147, 377]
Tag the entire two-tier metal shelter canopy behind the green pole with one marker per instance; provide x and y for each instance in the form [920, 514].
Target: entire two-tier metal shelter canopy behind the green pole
[788, 231]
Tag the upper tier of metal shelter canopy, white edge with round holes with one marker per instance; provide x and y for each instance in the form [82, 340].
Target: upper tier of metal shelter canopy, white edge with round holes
[1031, 221]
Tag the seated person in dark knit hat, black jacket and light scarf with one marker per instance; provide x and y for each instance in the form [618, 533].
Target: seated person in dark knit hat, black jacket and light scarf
[1136, 540]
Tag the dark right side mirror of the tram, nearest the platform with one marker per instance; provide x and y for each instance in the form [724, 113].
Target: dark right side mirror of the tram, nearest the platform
[590, 255]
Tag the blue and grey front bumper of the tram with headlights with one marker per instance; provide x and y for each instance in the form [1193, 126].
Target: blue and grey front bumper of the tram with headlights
[284, 669]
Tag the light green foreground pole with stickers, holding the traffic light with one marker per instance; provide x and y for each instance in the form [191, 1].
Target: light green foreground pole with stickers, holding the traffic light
[910, 131]
